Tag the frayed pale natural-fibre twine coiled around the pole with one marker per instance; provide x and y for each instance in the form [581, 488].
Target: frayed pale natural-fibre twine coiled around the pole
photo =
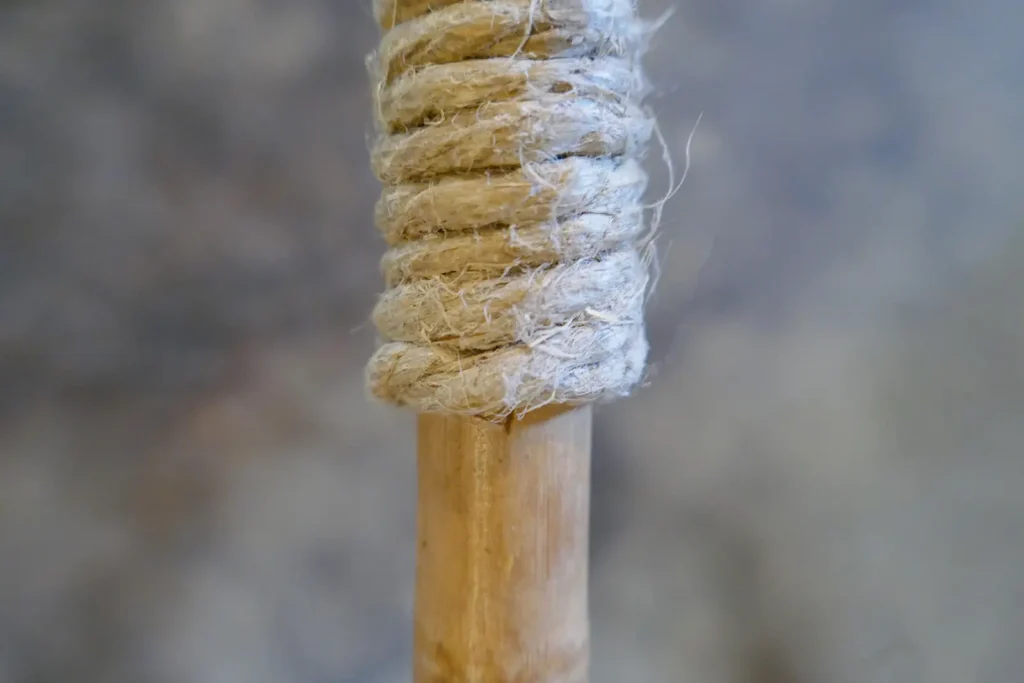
[509, 139]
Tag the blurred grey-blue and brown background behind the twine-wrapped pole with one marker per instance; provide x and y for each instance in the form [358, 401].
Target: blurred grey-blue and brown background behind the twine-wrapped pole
[824, 481]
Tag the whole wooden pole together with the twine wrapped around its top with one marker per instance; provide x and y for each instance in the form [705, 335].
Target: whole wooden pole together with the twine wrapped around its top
[496, 118]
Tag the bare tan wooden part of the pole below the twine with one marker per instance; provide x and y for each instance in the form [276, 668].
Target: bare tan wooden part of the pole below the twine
[503, 525]
